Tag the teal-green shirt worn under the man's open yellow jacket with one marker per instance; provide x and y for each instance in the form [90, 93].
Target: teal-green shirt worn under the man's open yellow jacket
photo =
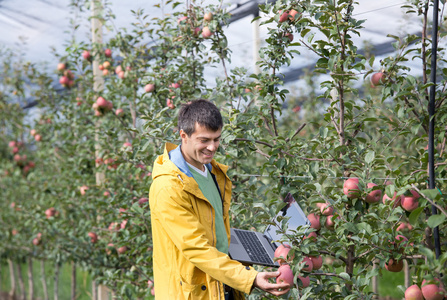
[210, 191]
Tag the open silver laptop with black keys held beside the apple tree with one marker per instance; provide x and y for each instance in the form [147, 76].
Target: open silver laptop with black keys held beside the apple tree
[253, 247]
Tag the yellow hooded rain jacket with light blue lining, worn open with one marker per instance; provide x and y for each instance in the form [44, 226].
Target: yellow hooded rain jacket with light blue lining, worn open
[187, 264]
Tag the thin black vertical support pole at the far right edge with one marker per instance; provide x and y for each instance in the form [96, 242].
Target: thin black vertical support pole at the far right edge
[431, 114]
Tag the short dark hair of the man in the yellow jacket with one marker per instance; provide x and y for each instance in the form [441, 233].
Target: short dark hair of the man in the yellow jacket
[200, 111]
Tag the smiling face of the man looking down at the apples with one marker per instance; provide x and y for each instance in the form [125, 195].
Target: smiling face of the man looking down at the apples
[199, 148]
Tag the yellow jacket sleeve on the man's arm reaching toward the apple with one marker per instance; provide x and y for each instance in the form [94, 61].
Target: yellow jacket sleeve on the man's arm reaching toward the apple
[174, 211]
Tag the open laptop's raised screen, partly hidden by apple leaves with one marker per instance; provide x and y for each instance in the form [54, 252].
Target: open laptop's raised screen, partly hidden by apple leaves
[296, 218]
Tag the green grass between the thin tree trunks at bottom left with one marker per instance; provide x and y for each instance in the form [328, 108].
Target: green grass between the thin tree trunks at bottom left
[83, 281]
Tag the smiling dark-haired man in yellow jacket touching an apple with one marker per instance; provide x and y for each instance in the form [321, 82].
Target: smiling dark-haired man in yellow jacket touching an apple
[190, 200]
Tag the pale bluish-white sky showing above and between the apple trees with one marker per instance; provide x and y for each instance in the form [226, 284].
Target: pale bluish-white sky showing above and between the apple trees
[45, 24]
